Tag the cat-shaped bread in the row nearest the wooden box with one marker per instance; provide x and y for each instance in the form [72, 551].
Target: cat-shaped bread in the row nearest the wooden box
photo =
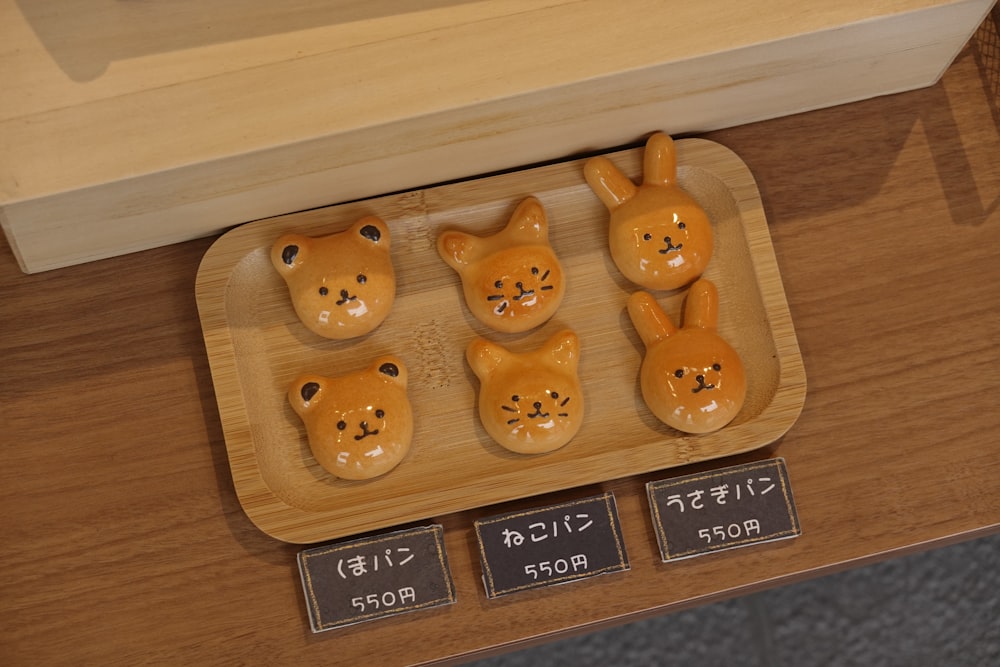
[512, 280]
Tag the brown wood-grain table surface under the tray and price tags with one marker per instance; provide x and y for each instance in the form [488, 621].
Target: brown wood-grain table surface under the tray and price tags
[123, 540]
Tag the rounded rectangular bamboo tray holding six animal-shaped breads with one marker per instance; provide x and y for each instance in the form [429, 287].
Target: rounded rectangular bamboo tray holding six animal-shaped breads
[256, 347]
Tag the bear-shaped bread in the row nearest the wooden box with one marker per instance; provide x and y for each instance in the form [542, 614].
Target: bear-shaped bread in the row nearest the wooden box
[341, 285]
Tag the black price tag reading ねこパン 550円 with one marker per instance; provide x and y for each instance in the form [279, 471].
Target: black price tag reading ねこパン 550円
[550, 545]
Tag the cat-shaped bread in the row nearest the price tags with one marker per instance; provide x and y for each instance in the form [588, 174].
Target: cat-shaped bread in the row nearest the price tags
[529, 402]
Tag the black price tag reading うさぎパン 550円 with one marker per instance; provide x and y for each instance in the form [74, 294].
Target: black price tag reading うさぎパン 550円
[723, 509]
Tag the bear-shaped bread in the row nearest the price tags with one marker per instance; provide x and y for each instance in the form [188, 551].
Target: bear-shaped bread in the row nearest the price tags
[360, 424]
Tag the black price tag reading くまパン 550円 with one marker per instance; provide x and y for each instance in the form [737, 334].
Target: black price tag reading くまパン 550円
[374, 577]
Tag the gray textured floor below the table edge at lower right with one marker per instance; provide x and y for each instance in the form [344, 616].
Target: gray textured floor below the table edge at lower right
[940, 608]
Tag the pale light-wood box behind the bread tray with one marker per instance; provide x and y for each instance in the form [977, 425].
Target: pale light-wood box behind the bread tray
[128, 125]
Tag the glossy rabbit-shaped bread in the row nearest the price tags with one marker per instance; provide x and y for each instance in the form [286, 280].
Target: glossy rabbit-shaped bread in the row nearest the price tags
[691, 378]
